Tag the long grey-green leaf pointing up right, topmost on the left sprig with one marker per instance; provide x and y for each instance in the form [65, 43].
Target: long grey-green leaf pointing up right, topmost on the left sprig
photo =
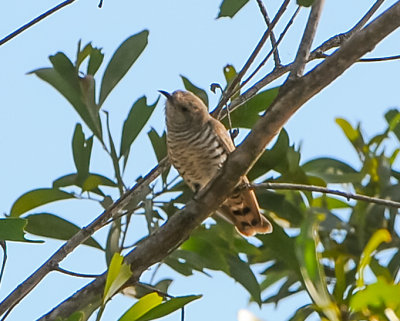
[121, 62]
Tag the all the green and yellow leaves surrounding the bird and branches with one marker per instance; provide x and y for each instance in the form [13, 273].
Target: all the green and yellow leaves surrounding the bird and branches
[321, 246]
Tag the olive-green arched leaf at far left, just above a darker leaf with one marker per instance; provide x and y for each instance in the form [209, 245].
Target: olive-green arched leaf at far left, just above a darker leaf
[36, 198]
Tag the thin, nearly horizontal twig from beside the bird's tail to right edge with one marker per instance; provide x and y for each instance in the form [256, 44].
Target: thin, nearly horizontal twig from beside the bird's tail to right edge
[313, 188]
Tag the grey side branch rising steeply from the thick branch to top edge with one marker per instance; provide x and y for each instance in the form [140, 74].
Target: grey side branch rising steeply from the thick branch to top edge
[306, 42]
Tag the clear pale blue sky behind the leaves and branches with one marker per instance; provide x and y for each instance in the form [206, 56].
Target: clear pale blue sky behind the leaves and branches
[36, 123]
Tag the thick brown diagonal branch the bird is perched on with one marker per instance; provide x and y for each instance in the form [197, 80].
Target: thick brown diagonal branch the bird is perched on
[178, 228]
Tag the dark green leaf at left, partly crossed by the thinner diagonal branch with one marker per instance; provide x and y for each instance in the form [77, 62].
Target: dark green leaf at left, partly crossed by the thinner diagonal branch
[52, 226]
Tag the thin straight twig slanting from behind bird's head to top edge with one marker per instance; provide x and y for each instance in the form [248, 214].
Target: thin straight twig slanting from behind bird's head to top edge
[232, 86]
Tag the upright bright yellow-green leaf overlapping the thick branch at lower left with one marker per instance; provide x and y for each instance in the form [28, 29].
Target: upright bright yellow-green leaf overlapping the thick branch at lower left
[118, 273]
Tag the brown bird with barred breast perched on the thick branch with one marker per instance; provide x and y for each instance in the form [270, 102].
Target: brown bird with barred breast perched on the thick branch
[198, 146]
